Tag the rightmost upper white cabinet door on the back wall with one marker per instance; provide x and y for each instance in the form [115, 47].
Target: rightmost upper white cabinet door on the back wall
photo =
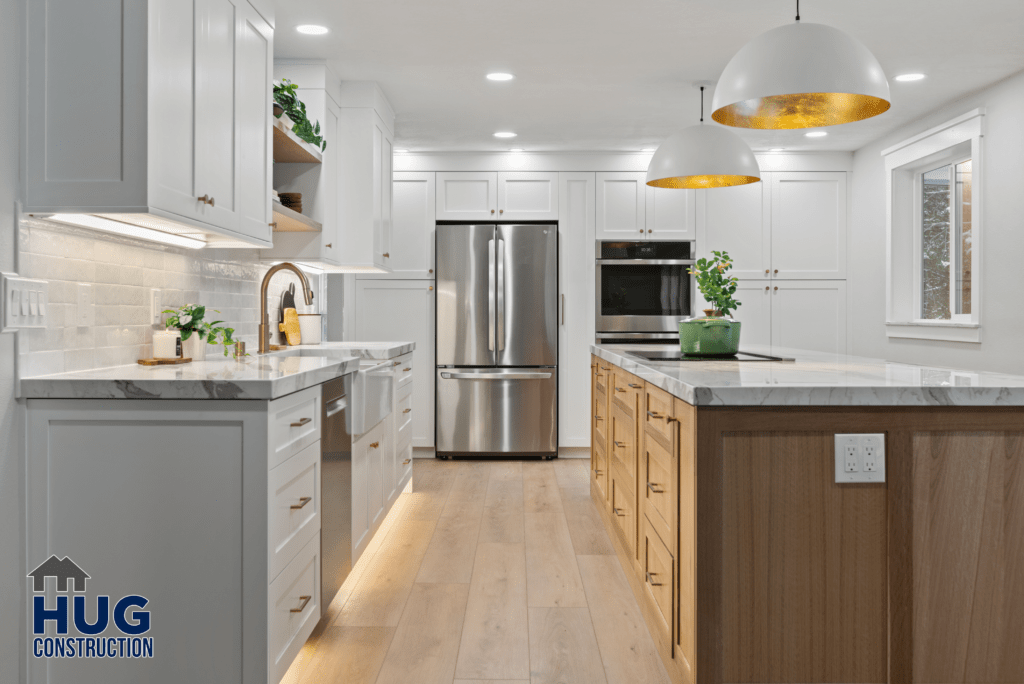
[808, 226]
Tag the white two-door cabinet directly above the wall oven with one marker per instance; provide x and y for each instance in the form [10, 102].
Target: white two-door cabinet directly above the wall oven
[629, 209]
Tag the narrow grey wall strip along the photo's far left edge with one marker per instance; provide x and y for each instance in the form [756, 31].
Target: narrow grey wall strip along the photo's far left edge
[13, 606]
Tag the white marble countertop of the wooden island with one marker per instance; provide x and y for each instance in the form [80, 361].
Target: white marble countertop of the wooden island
[815, 379]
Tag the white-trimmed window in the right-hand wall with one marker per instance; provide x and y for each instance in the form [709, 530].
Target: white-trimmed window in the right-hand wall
[934, 233]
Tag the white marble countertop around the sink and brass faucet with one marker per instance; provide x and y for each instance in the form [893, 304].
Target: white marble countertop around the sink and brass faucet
[255, 377]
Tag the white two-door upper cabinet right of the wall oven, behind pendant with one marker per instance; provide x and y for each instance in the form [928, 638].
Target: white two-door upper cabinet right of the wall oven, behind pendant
[791, 226]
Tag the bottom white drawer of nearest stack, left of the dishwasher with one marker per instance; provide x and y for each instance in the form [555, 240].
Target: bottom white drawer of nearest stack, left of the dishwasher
[294, 609]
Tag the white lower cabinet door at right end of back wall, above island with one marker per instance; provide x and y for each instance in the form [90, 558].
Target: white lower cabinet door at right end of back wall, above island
[809, 315]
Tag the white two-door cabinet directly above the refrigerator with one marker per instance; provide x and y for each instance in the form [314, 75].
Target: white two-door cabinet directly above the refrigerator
[489, 196]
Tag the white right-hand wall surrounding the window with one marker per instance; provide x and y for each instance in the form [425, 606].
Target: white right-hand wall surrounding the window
[1003, 271]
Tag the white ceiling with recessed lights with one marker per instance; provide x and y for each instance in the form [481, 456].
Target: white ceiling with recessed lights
[617, 75]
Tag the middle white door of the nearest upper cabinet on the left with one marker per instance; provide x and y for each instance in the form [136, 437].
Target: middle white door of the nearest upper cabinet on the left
[217, 144]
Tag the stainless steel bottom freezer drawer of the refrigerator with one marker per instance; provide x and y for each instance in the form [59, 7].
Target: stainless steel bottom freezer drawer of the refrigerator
[497, 411]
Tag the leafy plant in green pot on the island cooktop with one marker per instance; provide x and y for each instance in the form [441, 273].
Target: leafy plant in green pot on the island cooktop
[715, 334]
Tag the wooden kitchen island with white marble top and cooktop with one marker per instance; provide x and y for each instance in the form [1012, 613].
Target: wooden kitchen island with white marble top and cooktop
[718, 481]
